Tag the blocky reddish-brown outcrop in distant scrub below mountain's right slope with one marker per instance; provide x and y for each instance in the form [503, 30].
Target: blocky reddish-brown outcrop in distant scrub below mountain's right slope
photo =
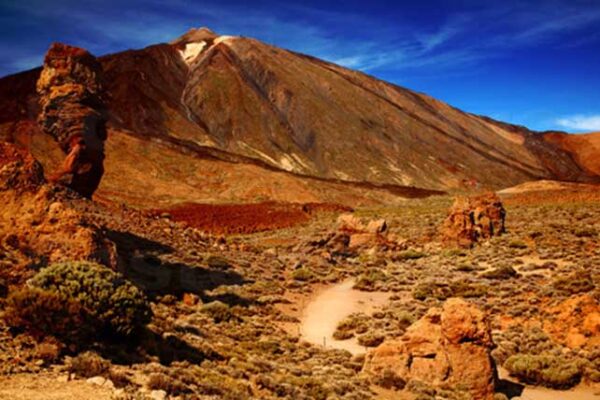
[473, 219]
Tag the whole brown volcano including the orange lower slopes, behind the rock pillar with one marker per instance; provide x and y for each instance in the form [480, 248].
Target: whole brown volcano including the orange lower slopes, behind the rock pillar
[223, 118]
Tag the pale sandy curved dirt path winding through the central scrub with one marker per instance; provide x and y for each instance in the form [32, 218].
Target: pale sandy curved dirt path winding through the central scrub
[330, 306]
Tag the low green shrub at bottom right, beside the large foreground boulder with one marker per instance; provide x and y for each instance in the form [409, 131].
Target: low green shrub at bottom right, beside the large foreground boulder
[551, 371]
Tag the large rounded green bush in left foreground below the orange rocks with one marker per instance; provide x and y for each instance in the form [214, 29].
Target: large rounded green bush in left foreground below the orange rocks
[114, 304]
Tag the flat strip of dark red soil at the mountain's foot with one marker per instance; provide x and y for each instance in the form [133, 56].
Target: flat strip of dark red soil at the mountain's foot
[248, 218]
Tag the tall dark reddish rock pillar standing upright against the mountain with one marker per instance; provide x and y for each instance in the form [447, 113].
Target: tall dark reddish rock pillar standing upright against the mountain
[72, 98]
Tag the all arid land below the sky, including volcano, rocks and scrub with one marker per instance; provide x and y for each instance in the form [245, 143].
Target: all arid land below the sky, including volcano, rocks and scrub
[255, 235]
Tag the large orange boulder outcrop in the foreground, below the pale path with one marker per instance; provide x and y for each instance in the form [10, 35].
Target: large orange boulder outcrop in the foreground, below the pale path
[449, 347]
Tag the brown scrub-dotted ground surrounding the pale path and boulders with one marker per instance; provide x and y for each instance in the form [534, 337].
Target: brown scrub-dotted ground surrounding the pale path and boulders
[235, 348]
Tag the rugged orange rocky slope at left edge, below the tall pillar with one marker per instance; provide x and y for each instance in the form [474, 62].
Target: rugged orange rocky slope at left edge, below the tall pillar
[39, 222]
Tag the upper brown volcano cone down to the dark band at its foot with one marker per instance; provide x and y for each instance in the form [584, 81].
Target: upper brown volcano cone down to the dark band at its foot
[238, 99]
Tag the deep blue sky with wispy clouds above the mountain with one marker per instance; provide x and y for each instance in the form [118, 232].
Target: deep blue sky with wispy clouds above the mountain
[535, 63]
